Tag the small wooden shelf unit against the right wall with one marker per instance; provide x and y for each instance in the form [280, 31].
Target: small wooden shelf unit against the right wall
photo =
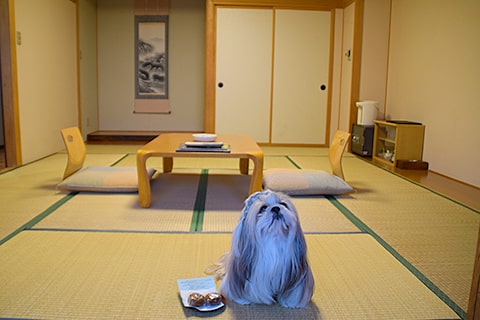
[397, 141]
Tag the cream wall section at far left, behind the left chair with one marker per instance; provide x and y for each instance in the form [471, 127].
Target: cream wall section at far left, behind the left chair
[47, 74]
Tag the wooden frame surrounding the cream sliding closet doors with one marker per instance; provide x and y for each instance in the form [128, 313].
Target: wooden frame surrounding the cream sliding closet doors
[210, 52]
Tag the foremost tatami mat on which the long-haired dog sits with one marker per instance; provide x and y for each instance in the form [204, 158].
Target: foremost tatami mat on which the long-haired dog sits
[77, 275]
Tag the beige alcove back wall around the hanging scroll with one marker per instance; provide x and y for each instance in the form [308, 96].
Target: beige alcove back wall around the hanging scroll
[116, 85]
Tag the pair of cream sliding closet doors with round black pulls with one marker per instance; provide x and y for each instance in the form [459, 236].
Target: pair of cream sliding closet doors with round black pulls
[272, 74]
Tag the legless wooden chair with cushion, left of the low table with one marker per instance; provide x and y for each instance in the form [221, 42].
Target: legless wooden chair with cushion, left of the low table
[93, 179]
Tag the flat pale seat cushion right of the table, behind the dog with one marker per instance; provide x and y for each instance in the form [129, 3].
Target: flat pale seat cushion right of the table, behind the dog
[304, 182]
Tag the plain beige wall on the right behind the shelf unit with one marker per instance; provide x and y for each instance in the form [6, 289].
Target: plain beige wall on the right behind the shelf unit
[433, 78]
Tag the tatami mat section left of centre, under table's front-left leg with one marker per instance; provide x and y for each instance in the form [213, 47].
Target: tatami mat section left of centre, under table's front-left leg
[173, 198]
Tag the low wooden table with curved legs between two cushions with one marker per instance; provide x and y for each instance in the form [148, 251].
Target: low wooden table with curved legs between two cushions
[165, 145]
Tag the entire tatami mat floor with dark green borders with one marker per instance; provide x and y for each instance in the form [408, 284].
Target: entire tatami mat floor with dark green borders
[390, 250]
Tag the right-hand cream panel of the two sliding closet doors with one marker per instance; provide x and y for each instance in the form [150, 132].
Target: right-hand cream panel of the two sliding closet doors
[301, 69]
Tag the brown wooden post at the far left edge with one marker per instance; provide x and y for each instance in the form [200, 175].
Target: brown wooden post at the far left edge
[8, 68]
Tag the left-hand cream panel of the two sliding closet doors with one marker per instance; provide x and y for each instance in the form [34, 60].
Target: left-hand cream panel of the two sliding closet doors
[243, 72]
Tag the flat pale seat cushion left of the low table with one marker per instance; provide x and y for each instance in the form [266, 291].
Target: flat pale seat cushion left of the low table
[103, 179]
